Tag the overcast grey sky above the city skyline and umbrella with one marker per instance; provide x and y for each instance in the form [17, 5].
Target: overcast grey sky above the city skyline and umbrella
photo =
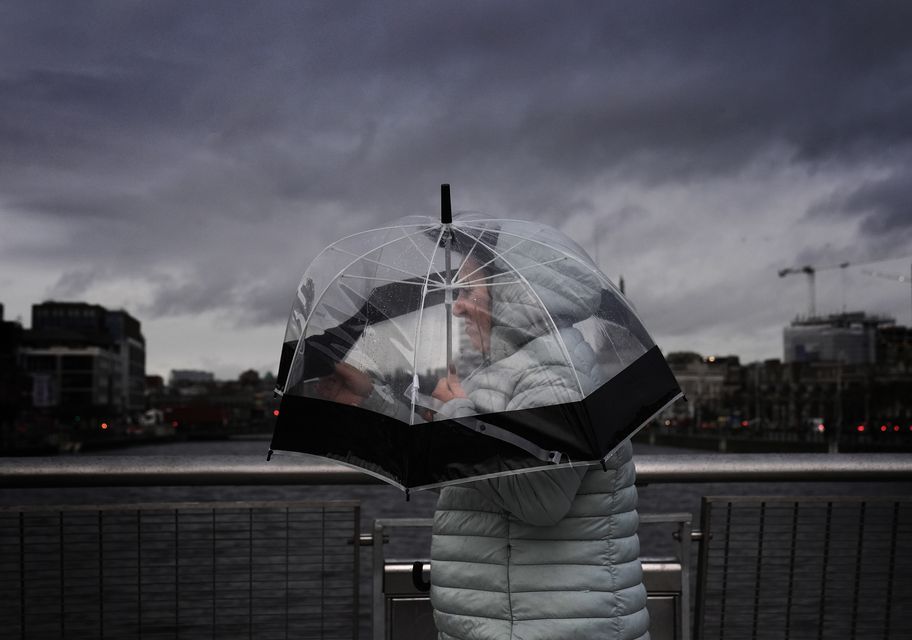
[186, 161]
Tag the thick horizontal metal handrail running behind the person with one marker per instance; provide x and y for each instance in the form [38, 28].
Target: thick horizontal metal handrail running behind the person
[107, 471]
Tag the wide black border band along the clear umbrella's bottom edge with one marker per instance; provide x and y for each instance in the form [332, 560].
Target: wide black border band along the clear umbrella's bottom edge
[447, 452]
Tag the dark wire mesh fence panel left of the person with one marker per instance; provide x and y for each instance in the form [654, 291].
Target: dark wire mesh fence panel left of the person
[180, 570]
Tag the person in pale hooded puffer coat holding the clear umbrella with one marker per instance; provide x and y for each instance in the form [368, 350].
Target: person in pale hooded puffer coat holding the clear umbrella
[541, 555]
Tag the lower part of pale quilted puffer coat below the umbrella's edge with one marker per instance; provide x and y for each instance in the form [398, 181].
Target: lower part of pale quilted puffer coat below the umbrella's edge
[540, 556]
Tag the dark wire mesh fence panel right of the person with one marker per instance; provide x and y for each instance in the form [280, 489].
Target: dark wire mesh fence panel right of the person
[805, 568]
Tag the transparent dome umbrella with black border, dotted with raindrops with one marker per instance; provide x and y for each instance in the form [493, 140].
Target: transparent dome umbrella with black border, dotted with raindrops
[435, 351]
